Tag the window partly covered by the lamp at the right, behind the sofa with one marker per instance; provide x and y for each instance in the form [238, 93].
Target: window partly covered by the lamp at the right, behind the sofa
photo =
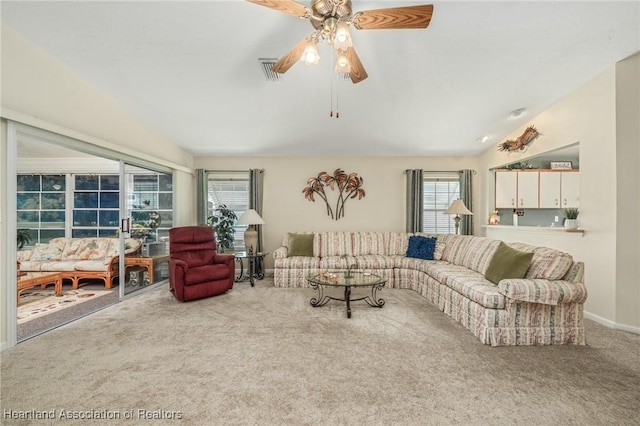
[439, 190]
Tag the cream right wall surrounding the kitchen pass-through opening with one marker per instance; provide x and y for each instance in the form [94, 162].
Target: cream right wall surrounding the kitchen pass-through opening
[587, 116]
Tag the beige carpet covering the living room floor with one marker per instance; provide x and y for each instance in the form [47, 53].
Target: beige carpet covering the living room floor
[264, 356]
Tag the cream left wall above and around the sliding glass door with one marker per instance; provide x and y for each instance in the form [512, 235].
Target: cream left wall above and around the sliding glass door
[39, 91]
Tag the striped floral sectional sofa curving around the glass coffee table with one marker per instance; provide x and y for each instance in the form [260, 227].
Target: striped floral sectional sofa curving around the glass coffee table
[543, 308]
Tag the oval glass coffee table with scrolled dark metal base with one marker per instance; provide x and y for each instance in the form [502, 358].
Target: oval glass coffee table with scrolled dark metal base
[348, 280]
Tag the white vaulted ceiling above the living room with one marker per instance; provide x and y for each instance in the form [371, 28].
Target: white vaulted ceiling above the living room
[190, 71]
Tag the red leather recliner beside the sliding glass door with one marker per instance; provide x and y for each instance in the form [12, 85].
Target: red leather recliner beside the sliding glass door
[196, 269]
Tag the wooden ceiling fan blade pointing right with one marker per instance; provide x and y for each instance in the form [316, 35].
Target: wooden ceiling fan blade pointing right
[394, 18]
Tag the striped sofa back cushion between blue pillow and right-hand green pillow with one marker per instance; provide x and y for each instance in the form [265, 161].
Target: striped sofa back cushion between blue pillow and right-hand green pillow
[473, 252]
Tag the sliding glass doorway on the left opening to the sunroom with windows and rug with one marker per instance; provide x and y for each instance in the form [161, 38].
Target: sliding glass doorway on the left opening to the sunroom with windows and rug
[67, 191]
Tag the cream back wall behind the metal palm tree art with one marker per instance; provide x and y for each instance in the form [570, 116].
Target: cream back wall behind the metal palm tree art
[286, 209]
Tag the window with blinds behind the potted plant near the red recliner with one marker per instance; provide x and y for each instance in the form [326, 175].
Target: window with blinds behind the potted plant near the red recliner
[231, 190]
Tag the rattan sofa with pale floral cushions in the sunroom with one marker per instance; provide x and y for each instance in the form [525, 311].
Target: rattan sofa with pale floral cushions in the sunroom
[78, 258]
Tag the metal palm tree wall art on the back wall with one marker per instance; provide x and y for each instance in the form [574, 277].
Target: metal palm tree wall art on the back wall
[348, 185]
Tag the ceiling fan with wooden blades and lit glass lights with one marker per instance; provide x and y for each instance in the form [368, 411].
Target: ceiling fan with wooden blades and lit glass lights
[331, 20]
